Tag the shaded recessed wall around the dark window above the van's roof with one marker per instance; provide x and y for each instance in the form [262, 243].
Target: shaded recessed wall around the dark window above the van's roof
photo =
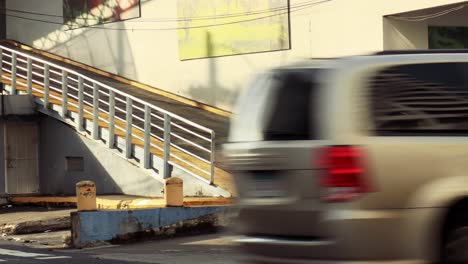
[400, 34]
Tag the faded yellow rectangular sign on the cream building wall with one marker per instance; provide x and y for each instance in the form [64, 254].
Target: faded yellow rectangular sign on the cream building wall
[212, 28]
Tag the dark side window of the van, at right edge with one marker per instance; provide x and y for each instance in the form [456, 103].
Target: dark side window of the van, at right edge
[421, 99]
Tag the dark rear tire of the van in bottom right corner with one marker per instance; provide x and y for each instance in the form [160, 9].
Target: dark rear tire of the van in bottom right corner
[455, 248]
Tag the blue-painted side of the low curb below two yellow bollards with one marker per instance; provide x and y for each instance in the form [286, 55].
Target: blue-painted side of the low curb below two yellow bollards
[88, 227]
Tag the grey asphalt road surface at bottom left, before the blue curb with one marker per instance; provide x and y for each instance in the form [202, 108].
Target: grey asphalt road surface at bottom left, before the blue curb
[207, 249]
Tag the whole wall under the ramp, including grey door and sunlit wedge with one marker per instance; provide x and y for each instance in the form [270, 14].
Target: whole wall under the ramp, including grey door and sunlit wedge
[40, 154]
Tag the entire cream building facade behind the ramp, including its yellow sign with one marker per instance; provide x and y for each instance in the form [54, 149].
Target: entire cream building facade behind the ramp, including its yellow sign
[209, 50]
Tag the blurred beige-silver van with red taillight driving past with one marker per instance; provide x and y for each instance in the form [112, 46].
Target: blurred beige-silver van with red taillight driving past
[357, 159]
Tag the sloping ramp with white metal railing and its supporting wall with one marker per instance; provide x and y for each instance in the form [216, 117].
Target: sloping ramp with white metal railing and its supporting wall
[118, 123]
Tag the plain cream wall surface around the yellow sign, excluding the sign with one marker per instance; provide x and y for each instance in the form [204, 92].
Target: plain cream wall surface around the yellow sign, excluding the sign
[335, 28]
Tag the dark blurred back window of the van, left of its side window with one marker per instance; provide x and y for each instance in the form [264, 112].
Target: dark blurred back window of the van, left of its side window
[293, 113]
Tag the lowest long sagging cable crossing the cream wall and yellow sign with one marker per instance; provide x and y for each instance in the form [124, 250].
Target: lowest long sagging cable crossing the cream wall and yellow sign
[296, 8]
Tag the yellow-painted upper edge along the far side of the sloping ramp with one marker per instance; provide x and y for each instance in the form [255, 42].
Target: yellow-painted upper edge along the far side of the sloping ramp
[124, 80]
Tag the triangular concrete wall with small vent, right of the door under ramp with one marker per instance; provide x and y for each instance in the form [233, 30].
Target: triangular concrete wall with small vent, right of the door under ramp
[112, 173]
